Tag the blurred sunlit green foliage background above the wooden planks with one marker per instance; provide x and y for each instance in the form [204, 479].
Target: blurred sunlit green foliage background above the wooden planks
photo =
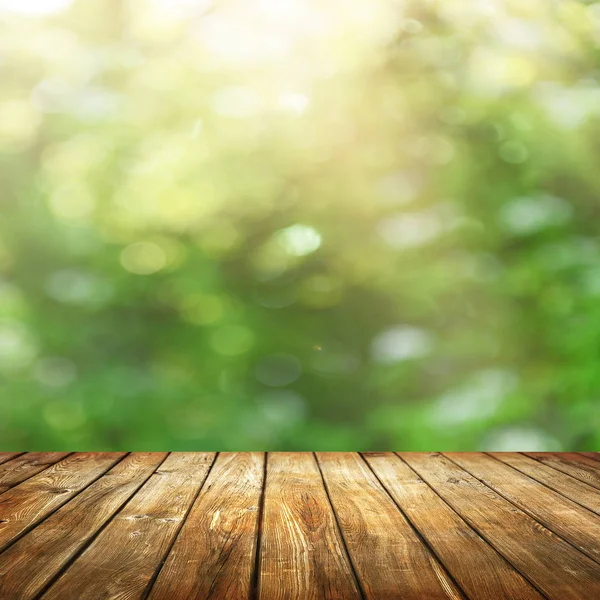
[299, 224]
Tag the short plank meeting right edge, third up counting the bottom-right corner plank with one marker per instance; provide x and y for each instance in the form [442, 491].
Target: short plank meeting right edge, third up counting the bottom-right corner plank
[568, 486]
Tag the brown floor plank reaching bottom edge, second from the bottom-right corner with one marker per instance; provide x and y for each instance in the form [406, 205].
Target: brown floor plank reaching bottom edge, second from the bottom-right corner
[480, 571]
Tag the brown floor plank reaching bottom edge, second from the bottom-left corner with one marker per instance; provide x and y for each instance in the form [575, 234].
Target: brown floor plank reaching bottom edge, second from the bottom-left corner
[122, 561]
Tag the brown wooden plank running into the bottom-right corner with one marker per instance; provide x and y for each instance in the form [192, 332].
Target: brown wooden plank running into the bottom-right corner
[556, 568]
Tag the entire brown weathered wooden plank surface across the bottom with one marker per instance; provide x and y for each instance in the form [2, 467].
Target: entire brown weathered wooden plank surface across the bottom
[410, 526]
